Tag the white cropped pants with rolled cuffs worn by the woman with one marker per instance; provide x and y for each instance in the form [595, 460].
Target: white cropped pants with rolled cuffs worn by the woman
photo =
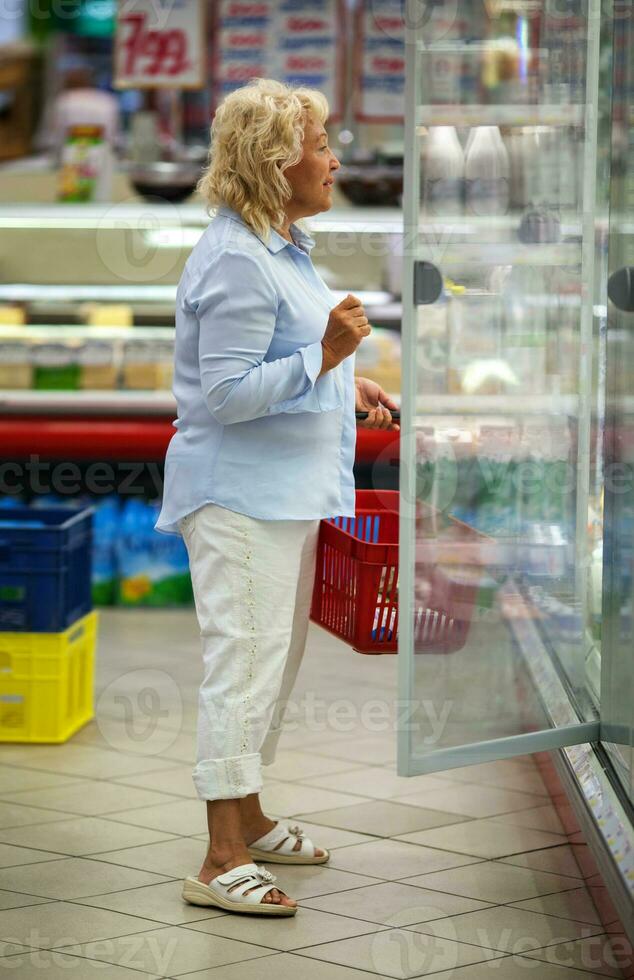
[253, 583]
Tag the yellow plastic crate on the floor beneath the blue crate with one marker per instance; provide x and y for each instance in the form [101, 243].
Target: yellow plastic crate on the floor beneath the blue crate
[47, 682]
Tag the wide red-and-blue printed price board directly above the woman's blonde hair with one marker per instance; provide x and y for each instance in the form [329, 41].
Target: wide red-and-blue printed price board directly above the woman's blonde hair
[299, 42]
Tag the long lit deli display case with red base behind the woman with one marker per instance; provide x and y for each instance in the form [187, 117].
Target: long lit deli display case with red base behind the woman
[87, 318]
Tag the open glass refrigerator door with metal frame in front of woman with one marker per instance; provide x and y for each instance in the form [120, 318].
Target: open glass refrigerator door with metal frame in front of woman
[501, 468]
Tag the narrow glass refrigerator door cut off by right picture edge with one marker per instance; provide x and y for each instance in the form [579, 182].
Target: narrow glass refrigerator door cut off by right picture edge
[617, 676]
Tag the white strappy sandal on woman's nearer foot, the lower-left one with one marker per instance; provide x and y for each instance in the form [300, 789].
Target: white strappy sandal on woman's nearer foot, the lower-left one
[222, 890]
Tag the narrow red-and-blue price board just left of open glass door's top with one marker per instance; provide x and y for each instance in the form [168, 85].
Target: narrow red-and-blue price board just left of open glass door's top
[379, 71]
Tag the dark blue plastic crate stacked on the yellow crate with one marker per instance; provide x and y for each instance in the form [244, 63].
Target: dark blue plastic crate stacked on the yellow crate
[45, 568]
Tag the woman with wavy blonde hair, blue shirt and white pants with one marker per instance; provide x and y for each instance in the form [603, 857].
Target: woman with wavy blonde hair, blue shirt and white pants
[264, 448]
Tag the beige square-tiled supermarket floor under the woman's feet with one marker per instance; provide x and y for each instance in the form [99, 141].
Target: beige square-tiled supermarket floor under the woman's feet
[465, 874]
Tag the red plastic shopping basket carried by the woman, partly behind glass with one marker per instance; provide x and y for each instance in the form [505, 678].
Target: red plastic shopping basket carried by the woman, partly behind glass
[355, 595]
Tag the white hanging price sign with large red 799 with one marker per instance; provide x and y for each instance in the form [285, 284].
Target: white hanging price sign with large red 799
[159, 44]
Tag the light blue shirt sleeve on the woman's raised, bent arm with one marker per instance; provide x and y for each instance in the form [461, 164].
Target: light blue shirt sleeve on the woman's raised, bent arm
[236, 307]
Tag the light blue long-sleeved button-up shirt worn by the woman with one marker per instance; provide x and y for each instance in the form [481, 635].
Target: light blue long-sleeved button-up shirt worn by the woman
[257, 431]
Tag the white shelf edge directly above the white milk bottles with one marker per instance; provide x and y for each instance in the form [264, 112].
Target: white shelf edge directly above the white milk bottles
[501, 115]
